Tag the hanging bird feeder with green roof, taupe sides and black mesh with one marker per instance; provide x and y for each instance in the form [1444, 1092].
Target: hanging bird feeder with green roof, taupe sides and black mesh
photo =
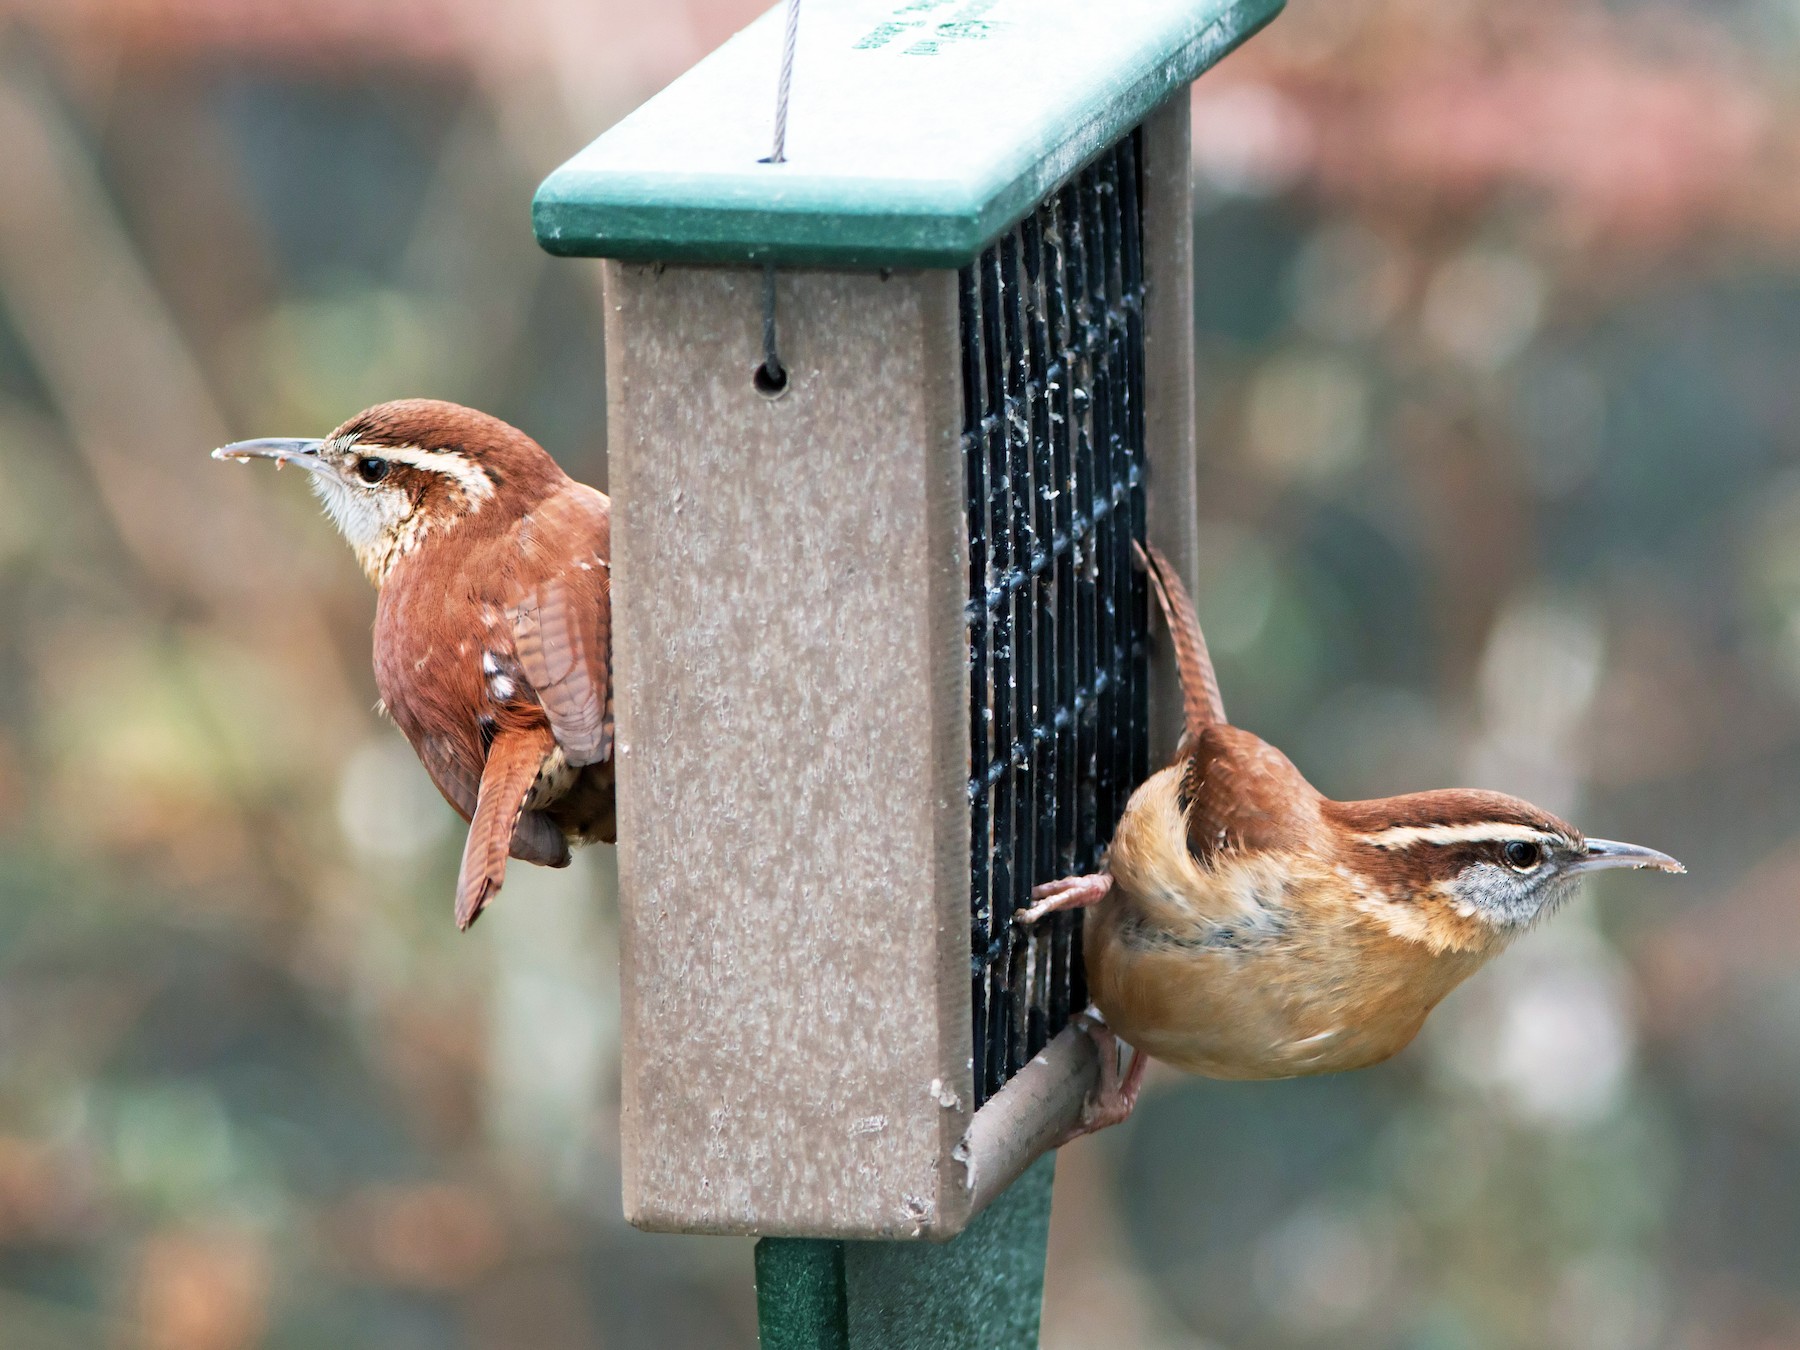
[881, 649]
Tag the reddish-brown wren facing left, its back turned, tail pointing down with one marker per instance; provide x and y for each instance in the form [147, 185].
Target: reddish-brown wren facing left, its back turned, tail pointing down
[492, 629]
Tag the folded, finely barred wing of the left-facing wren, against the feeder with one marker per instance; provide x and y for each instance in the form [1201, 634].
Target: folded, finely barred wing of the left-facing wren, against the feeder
[562, 625]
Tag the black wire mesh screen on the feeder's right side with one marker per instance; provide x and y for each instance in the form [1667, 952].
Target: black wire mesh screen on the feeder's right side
[1057, 613]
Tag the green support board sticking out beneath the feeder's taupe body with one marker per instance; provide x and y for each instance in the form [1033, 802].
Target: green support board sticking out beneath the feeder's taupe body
[982, 1290]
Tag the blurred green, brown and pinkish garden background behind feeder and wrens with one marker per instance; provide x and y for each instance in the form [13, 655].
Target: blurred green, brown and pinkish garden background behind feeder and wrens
[1500, 391]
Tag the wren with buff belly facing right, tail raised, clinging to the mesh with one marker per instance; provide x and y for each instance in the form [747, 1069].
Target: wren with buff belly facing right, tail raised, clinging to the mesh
[1250, 928]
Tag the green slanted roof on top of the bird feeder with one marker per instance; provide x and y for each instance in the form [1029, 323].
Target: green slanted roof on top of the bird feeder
[919, 130]
